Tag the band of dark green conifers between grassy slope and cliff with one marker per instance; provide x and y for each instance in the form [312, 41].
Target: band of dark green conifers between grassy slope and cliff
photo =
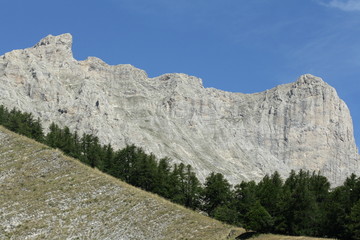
[302, 204]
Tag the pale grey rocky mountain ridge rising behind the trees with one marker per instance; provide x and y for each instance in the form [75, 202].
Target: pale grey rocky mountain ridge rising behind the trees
[301, 125]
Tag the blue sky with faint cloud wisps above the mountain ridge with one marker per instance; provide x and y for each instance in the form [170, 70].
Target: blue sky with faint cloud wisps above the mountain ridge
[235, 45]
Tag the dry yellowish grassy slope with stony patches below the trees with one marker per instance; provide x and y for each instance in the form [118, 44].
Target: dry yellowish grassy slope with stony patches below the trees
[46, 195]
